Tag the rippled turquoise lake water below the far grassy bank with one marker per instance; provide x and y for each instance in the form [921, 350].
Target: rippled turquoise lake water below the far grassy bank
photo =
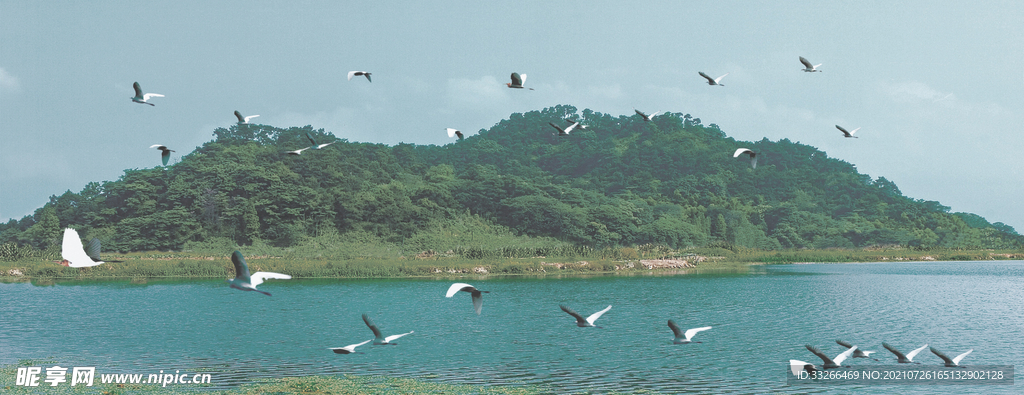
[761, 319]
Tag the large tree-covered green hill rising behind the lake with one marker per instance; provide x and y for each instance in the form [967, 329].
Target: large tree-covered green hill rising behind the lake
[623, 181]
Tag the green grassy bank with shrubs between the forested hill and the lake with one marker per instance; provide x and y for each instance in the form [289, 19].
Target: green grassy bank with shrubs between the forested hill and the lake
[360, 260]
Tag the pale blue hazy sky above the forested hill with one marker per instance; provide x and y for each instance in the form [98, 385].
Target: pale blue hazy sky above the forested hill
[936, 89]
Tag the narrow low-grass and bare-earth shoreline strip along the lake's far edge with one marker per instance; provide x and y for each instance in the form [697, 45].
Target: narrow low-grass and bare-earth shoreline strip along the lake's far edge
[189, 268]
